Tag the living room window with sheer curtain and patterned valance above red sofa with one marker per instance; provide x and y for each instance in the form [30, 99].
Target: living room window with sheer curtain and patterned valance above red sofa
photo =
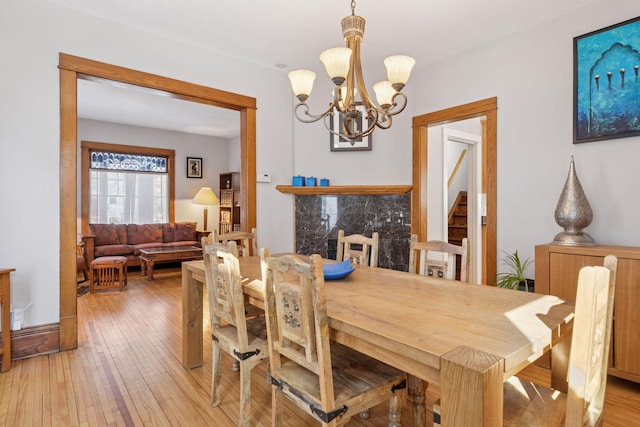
[126, 184]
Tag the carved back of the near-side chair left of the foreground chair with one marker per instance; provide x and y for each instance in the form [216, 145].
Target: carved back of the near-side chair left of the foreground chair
[224, 288]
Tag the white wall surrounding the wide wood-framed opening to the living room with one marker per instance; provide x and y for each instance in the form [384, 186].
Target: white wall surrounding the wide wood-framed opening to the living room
[32, 33]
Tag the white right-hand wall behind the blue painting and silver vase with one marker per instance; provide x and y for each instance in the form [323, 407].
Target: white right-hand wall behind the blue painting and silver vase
[531, 73]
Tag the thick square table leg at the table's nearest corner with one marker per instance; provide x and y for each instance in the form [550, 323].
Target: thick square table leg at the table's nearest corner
[471, 388]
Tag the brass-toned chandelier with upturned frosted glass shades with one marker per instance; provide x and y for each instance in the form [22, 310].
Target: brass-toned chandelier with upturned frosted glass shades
[345, 70]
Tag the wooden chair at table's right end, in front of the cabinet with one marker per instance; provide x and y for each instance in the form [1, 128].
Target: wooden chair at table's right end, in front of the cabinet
[529, 404]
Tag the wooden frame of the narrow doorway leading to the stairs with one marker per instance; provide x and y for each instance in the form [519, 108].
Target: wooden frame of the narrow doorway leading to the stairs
[488, 109]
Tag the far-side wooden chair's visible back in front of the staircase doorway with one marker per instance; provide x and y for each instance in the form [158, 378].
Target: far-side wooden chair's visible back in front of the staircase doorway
[422, 260]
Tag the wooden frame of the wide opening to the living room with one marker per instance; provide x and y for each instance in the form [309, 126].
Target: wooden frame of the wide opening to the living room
[72, 68]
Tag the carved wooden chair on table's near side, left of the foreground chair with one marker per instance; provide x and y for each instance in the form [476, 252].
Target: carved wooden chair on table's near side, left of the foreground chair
[230, 330]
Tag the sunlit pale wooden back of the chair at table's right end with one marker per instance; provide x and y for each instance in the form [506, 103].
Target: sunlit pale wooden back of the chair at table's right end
[591, 339]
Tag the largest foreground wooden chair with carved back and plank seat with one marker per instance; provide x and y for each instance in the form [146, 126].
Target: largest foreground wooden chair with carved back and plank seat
[329, 381]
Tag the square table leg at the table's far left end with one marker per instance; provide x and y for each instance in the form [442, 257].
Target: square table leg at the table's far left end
[192, 302]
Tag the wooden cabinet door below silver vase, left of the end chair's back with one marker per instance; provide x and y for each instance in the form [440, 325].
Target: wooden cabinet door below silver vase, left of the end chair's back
[564, 270]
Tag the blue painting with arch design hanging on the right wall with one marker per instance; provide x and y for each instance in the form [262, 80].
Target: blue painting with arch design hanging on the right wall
[606, 83]
